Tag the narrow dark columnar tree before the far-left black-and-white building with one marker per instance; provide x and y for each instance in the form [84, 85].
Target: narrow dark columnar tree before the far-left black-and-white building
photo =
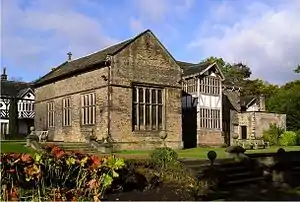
[13, 117]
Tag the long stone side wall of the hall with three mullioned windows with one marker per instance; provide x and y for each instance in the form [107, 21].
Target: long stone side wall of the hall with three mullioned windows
[72, 87]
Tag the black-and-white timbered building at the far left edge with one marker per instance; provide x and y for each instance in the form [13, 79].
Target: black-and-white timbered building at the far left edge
[24, 94]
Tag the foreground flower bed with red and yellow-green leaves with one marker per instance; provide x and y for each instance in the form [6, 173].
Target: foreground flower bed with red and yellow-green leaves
[60, 176]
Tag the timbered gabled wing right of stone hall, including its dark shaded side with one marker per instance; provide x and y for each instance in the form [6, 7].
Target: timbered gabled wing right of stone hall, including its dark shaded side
[202, 104]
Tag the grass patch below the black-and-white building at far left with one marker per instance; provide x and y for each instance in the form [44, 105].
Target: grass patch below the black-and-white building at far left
[14, 146]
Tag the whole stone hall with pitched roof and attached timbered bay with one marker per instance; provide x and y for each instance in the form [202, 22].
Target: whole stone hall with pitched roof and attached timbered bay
[138, 94]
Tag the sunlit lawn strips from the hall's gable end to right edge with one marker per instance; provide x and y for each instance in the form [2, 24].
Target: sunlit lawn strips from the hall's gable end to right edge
[201, 153]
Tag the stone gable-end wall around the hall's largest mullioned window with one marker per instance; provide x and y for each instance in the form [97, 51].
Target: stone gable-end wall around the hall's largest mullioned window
[145, 61]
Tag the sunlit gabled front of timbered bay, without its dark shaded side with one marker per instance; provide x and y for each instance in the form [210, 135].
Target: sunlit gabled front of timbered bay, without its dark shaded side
[203, 82]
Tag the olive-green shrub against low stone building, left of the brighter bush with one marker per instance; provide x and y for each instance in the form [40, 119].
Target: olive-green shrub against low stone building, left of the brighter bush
[273, 134]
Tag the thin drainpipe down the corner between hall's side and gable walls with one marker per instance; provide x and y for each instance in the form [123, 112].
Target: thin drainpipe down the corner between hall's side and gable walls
[109, 62]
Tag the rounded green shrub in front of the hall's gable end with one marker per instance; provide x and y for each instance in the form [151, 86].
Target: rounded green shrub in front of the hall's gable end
[164, 157]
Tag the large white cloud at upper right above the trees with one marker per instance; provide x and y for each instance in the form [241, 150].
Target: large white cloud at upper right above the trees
[266, 37]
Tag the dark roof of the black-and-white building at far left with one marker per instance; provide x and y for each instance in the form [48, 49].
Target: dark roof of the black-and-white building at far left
[13, 88]
